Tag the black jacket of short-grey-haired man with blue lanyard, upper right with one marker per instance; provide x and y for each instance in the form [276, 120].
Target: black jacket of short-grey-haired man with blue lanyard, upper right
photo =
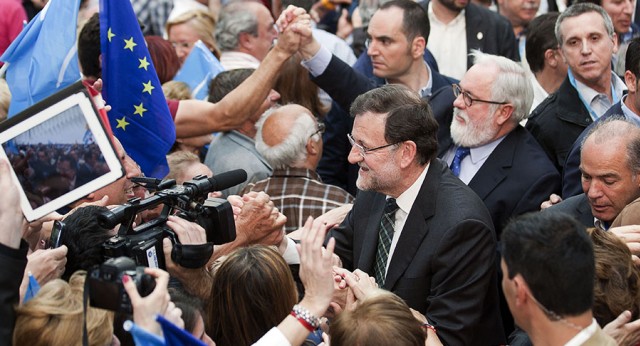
[558, 121]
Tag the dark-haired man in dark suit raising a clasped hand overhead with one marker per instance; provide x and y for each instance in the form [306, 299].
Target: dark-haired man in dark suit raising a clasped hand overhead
[399, 30]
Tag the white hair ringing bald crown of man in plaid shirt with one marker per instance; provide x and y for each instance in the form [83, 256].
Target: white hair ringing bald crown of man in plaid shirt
[291, 152]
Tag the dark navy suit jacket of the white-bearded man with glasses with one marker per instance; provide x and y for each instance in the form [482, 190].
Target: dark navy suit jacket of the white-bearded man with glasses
[515, 179]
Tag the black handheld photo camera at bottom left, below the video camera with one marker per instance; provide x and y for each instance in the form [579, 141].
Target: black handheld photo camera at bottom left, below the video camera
[105, 284]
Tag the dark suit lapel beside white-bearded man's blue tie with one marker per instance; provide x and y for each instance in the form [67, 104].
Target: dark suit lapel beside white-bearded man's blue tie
[495, 169]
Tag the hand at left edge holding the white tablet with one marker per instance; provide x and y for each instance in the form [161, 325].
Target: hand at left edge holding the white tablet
[11, 217]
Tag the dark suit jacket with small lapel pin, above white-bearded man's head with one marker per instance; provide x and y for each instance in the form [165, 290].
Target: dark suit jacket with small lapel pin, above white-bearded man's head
[488, 32]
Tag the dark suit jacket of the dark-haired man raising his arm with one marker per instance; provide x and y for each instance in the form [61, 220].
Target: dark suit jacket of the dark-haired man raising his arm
[344, 84]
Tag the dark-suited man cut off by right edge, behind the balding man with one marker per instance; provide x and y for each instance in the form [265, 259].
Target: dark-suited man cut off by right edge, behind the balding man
[628, 107]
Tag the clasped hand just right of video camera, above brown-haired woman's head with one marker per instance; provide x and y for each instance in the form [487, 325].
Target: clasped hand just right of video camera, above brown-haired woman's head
[259, 222]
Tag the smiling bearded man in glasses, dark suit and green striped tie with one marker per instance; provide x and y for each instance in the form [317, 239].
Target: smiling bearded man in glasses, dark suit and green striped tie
[419, 230]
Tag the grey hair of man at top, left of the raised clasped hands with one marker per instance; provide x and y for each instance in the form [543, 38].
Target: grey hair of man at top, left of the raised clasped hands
[234, 20]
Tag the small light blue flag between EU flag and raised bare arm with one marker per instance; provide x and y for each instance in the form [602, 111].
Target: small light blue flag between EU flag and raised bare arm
[200, 67]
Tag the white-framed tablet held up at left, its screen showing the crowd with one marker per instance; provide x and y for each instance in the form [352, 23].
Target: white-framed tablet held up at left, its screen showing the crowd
[59, 151]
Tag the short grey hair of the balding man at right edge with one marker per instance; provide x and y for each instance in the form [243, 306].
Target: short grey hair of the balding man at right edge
[618, 127]
